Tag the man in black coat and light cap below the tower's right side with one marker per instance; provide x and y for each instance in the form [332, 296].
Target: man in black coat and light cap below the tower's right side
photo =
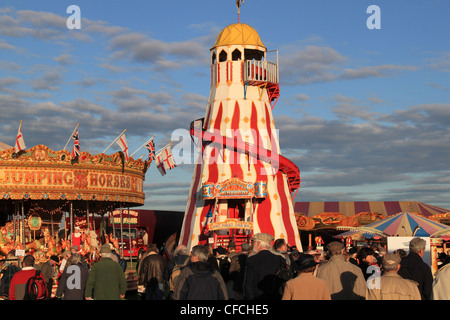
[262, 267]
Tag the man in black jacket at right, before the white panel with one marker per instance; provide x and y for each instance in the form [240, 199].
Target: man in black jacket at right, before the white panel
[413, 268]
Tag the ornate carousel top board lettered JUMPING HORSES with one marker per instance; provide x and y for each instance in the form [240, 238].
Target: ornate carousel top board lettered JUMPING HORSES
[42, 173]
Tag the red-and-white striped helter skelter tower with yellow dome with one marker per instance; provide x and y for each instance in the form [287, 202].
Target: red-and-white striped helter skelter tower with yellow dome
[241, 184]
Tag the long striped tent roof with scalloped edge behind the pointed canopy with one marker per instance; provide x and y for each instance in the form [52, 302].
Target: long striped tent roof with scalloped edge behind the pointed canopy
[350, 208]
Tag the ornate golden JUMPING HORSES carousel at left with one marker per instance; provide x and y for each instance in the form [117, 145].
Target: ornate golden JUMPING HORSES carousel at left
[39, 187]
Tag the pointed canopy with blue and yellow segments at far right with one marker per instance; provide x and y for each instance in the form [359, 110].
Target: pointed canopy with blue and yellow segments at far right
[404, 224]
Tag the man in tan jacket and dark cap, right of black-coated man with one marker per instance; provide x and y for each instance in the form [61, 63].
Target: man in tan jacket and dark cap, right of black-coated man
[306, 286]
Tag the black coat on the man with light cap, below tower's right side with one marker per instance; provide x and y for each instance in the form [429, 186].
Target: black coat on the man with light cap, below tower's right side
[260, 275]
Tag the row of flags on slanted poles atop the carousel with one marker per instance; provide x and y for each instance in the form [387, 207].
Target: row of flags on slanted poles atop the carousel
[163, 158]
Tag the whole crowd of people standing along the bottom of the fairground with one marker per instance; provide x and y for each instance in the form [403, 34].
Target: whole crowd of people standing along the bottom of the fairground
[265, 269]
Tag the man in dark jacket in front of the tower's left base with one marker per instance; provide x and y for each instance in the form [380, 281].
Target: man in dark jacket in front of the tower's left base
[199, 280]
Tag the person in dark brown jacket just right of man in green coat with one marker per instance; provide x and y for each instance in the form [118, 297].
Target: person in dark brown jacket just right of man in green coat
[151, 274]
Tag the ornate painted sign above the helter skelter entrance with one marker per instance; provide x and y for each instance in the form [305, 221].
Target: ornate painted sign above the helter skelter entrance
[234, 189]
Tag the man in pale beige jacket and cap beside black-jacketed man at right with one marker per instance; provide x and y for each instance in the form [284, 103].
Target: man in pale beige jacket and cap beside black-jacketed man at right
[391, 286]
